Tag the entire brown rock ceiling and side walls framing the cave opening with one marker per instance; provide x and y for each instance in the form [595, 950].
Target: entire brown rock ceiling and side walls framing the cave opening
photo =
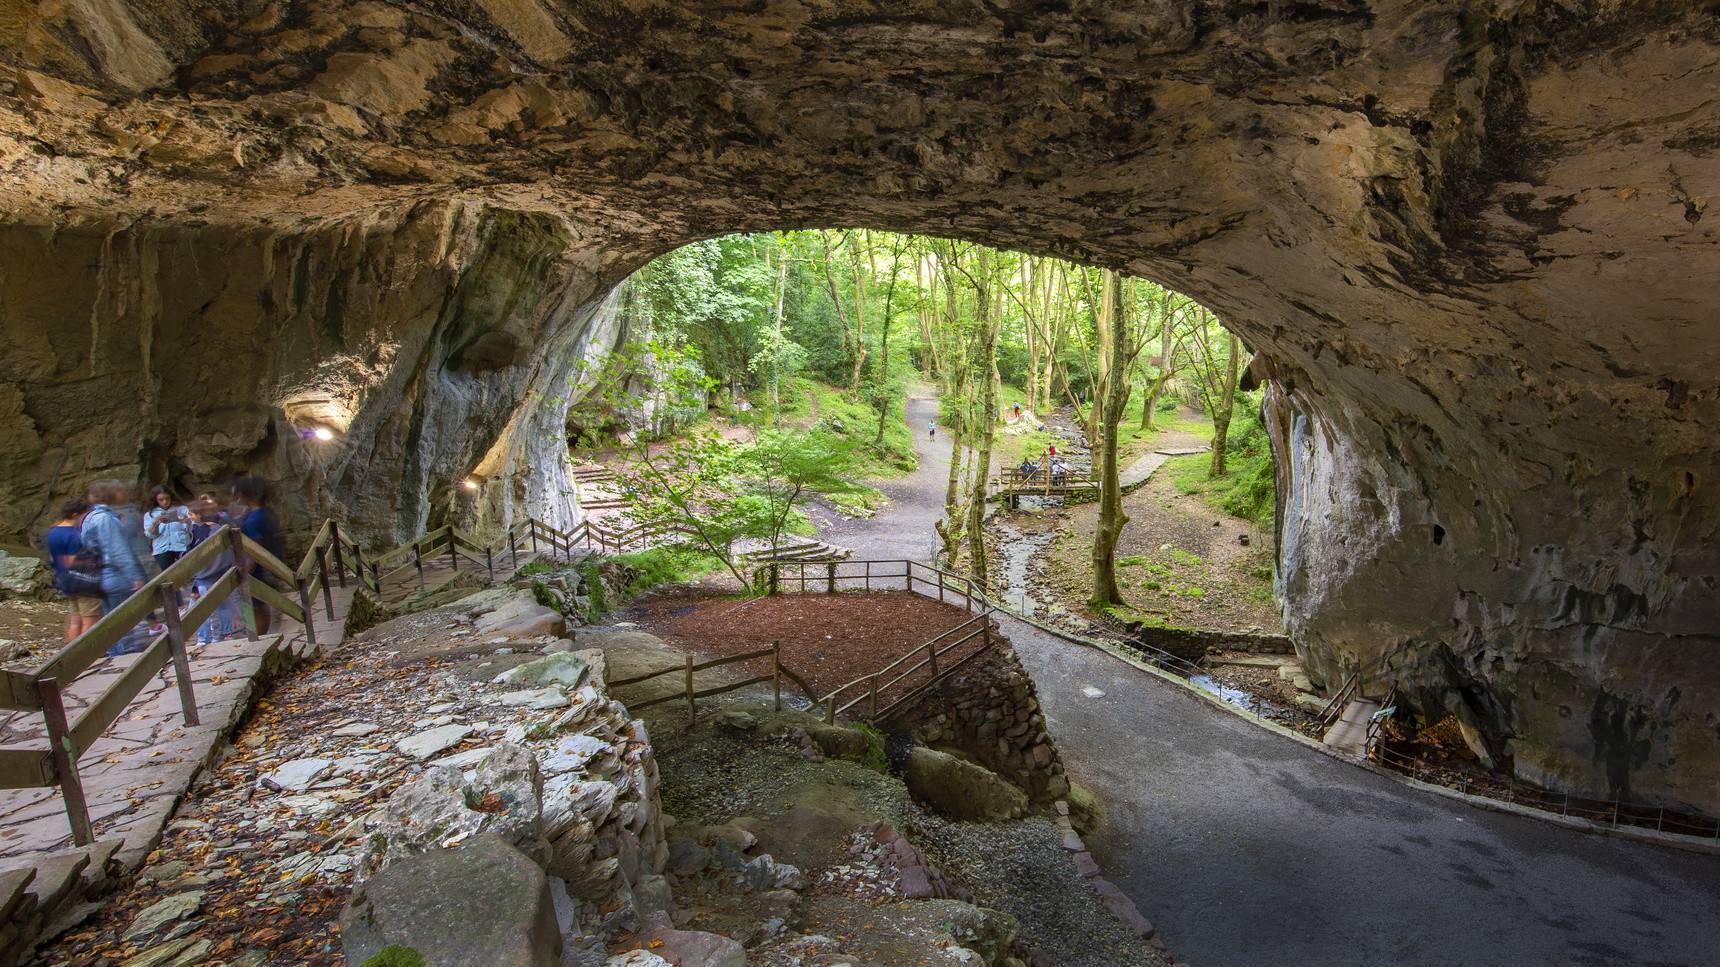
[1471, 243]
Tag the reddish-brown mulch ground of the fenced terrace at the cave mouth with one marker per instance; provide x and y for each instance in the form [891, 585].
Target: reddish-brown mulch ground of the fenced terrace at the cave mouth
[828, 639]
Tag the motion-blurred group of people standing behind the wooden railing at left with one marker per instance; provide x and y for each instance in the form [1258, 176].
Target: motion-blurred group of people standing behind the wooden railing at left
[104, 548]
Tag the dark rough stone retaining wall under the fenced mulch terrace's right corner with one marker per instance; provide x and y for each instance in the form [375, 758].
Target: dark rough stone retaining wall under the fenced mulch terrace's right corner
[992, 713]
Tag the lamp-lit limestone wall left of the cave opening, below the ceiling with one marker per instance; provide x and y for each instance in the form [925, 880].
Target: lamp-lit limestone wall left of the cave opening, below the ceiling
[436, 340]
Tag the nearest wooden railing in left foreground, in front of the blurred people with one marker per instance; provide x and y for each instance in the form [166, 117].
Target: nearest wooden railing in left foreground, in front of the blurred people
[44, 691]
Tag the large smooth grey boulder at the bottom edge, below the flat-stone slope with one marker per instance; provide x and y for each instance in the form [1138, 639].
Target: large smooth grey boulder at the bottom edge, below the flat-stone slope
[482, 902]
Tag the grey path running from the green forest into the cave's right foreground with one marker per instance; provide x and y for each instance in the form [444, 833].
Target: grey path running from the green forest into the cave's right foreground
[1250, 849]
